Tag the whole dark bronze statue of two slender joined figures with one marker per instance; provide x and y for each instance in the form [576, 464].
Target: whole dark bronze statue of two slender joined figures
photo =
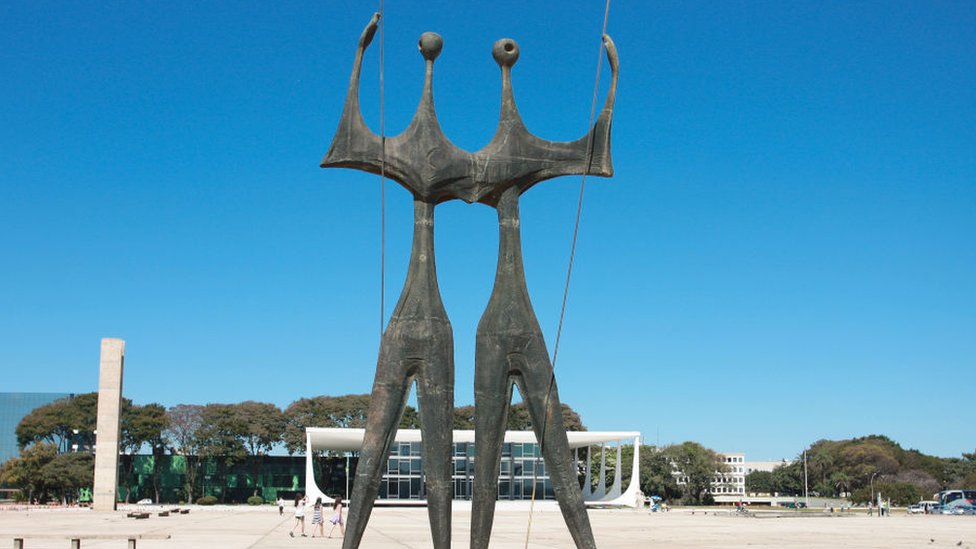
[418, 342]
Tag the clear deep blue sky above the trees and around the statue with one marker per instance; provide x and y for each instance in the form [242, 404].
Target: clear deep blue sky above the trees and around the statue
[786, 252]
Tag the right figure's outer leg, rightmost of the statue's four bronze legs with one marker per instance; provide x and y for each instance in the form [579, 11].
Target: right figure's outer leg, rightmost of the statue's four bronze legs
[538, 388]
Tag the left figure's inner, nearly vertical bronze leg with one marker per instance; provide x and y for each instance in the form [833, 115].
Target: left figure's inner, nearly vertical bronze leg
[435, 396]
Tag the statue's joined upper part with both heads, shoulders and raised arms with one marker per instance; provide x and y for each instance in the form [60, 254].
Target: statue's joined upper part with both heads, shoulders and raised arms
[424, 161]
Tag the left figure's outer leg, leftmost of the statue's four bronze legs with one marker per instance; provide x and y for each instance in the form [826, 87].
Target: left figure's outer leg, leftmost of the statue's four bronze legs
[387, 401]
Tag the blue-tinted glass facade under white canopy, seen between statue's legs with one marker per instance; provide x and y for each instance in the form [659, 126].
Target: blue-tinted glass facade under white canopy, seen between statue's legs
[522, 469]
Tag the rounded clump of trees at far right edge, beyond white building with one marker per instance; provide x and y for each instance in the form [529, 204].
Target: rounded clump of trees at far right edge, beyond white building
[853, 468]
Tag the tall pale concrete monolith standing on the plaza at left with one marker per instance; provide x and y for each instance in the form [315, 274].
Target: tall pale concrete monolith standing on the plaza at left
[107, 436]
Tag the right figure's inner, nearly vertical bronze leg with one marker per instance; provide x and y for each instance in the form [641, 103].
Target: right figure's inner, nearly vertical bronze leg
[492, 398]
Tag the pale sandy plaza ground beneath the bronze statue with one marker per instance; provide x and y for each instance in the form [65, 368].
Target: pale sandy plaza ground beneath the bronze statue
[263, 528]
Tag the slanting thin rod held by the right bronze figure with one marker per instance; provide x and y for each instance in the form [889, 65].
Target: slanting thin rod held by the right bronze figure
[569, 269]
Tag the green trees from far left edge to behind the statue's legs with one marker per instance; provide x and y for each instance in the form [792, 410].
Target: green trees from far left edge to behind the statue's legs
[226, 434]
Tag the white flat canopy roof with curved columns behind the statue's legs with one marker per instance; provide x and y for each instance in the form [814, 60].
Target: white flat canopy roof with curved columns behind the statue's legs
[351, 440]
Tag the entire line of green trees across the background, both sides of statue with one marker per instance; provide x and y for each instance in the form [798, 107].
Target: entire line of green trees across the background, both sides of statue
[229, 434]
